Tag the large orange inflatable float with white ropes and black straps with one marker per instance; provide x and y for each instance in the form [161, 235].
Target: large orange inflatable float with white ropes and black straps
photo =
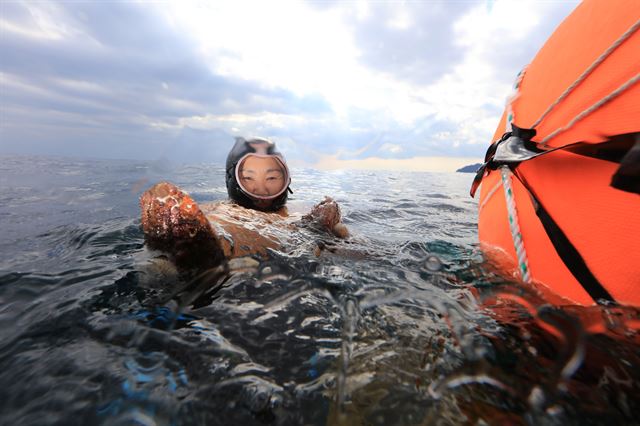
[559, 199]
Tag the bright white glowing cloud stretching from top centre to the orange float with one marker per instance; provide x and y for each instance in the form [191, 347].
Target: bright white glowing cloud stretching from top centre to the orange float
[312, 51]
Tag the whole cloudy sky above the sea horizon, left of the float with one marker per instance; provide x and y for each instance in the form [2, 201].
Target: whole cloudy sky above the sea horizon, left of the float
[415, 85]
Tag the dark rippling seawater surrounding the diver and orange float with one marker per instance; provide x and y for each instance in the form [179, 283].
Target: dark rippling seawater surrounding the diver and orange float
[399, 325]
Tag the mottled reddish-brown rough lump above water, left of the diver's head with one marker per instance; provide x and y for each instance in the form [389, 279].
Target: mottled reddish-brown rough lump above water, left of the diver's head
[173, 222]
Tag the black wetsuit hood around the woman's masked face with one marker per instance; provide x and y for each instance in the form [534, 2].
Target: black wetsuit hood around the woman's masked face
[242, 147]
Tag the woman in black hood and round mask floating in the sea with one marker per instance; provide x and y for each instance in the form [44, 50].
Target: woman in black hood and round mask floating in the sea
[256, 219]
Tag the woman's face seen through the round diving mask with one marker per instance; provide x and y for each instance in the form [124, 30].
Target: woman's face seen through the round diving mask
[262, 177]
